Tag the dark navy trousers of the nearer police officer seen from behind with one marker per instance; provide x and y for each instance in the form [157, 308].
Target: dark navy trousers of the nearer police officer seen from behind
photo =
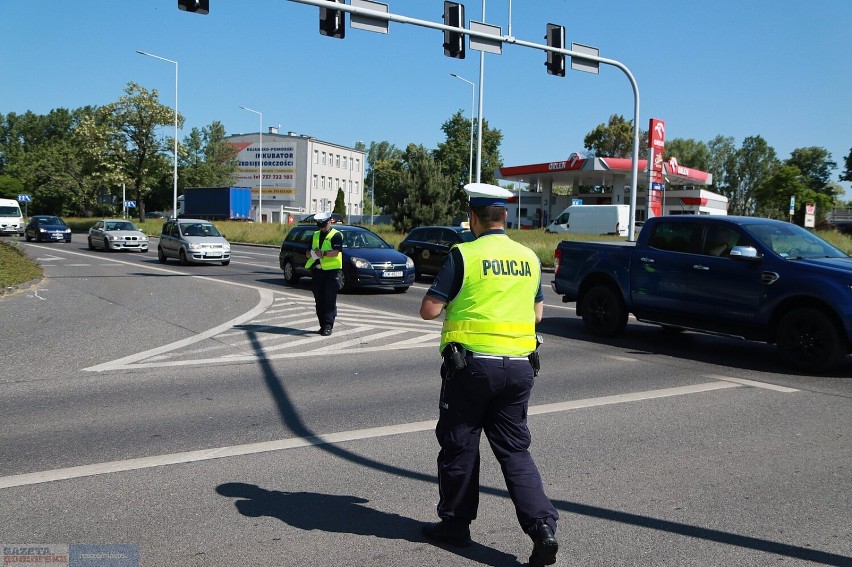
[491, 395]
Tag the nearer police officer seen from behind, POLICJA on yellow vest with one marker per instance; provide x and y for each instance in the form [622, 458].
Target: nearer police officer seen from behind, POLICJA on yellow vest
[491, 290]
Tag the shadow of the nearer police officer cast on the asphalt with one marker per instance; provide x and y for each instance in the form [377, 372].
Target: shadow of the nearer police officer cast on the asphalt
[341, 514]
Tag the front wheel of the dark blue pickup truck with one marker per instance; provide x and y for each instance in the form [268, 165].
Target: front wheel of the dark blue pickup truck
[810, 341]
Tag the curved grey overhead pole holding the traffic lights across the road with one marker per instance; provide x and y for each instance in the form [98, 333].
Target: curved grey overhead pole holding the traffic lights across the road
[386, 17]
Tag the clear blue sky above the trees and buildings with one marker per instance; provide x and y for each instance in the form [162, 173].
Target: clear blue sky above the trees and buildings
[781, 70]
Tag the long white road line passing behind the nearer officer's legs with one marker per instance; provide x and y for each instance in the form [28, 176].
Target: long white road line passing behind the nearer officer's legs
[28, 479]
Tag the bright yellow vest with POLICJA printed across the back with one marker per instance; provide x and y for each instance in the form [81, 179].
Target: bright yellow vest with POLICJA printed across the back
[494, 311]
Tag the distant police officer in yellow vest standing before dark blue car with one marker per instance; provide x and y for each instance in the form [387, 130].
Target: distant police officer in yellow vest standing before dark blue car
[325, 260]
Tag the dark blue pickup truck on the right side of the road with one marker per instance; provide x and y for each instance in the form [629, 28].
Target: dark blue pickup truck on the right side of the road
[750, 278]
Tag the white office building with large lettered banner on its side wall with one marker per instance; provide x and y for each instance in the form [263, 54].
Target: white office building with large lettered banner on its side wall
[301, 175]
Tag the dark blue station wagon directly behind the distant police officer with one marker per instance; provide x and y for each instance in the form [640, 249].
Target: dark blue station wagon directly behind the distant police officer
[368, 261]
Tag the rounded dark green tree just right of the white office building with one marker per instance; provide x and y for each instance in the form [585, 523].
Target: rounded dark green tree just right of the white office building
[424, 194]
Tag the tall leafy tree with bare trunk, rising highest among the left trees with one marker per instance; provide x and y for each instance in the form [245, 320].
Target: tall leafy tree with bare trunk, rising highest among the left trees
[136, 116]
